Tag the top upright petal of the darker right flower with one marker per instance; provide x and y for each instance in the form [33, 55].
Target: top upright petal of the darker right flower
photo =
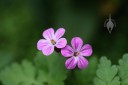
[77, 43]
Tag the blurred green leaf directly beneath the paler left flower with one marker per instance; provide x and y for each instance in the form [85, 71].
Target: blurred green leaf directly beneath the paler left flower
[53, 69]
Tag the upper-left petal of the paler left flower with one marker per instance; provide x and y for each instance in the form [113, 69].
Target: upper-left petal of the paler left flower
[48, 34]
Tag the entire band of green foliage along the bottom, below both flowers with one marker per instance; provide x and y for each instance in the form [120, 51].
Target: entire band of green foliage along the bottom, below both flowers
[52, 71]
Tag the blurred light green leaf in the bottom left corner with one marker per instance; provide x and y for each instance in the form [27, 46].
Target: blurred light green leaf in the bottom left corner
[16, 74]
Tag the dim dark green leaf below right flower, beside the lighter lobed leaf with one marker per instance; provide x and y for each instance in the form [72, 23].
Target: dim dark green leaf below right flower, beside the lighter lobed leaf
[86, 76]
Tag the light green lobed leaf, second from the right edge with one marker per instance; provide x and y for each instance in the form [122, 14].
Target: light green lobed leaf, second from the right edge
[106, 73]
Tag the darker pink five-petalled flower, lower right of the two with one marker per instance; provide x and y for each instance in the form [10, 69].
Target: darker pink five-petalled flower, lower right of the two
[75, 54]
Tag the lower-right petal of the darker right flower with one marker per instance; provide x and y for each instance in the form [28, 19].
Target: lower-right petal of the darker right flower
[82, 62]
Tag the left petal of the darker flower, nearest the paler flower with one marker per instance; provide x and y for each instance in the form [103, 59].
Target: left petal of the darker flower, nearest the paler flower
[67, 51]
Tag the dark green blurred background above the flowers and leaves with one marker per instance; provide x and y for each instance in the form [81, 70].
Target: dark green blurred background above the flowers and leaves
[23, 21]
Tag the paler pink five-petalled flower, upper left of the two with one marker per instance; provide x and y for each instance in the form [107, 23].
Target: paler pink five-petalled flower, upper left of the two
[51, 41]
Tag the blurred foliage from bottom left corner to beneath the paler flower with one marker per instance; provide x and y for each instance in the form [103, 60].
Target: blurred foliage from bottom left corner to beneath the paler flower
[28, 74]
